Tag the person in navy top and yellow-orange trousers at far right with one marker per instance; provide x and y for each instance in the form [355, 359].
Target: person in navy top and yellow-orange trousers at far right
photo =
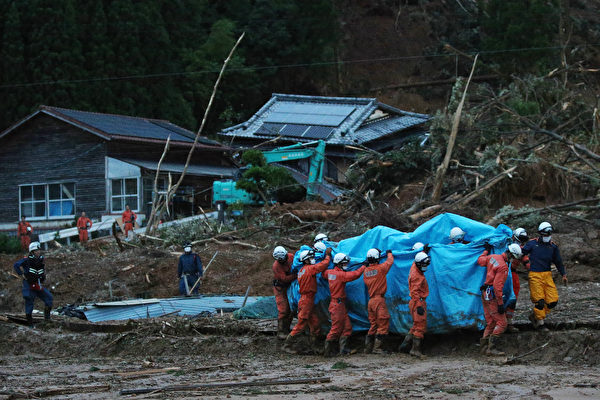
[542, 254]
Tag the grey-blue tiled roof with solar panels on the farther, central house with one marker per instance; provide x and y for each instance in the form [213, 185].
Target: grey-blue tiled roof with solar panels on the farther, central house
[337, 120]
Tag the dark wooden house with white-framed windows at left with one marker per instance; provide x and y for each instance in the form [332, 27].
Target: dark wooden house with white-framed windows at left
[57, 162]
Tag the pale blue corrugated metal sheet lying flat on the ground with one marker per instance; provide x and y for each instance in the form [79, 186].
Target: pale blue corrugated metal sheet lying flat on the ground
[189, 306]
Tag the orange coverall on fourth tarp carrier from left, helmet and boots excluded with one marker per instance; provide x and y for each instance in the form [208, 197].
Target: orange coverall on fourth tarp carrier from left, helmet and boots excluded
[376, 282]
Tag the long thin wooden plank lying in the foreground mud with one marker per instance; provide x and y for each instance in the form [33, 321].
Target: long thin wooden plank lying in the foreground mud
[174, 388]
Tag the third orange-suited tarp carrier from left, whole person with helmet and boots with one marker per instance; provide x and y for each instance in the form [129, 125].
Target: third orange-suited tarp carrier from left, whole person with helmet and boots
[341, 327]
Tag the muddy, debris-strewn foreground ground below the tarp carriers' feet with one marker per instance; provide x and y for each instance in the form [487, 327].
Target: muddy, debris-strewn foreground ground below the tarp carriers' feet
[219, 350]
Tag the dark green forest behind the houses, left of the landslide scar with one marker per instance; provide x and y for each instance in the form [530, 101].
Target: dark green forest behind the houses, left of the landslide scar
[76, 51]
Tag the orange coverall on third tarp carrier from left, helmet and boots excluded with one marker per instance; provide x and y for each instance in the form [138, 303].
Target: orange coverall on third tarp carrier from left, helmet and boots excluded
[340, 321]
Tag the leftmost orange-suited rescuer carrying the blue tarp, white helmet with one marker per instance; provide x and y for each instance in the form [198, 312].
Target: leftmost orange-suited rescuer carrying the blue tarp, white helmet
[282, 278]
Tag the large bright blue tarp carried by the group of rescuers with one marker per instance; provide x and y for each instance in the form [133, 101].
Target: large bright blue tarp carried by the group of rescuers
[454, 277]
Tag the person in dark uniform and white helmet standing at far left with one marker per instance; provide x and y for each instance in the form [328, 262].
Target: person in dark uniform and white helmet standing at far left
[32, 269]
